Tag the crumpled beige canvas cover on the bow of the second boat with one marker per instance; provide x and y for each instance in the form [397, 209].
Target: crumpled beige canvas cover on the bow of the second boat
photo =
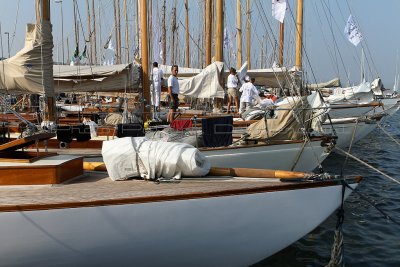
[289, 120]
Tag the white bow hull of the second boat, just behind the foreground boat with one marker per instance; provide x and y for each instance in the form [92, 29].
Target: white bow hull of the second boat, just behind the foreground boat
[289, 156]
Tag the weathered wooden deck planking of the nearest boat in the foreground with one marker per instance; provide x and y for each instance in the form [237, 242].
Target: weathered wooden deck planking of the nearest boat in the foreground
[97, 189]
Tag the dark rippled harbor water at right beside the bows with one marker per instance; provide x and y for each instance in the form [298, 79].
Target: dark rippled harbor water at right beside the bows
[370, 239]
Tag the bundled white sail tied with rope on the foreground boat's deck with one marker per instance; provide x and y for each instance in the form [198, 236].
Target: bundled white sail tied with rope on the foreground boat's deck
[138, 157]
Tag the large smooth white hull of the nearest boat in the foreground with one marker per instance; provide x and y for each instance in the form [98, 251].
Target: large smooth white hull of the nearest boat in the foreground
[235, 230]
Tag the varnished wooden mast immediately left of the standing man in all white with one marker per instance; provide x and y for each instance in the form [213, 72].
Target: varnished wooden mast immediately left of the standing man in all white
[145, 56]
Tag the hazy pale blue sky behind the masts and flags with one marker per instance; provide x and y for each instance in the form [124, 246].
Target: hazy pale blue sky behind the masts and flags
[327, 53]
